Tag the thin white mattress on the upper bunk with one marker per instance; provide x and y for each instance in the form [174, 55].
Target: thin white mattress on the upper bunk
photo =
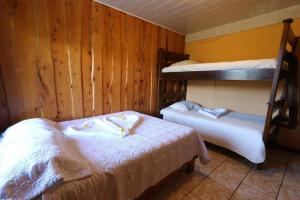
[235, 65]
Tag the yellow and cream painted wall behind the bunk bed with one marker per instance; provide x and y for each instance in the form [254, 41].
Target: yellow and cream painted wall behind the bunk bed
[249, 97]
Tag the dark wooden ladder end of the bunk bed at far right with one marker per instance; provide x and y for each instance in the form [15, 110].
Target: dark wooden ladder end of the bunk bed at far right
[286, 70]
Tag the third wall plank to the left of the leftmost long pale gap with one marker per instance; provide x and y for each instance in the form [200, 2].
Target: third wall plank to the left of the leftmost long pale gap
[23, 36]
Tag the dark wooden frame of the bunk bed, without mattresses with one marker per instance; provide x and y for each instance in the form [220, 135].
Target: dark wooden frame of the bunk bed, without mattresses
[286, 71]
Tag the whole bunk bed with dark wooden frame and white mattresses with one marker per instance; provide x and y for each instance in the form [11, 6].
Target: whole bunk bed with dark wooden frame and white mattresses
[281, 112]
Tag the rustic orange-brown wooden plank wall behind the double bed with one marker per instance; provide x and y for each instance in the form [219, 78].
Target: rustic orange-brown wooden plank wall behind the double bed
[68, 59]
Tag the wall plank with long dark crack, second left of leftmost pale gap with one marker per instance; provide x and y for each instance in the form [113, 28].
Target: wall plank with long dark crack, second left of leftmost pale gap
[43, 60]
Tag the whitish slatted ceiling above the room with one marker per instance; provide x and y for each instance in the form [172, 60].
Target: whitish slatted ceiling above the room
[190, 16]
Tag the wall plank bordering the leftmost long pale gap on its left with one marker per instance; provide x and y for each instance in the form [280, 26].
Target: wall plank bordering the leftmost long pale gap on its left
[61, 59]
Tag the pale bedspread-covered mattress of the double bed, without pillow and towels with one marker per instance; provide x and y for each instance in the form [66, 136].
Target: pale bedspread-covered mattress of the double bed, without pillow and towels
[125, 167]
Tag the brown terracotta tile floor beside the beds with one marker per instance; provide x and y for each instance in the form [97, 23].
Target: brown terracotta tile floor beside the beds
[229, 176]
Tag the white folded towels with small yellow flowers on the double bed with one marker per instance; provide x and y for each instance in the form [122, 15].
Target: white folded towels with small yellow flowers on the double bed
[120, 125]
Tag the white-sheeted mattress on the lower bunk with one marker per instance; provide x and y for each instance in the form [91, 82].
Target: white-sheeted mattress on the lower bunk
[238, 132]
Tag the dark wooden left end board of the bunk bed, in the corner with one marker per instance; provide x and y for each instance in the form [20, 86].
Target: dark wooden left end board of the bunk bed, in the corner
[169, 91]
